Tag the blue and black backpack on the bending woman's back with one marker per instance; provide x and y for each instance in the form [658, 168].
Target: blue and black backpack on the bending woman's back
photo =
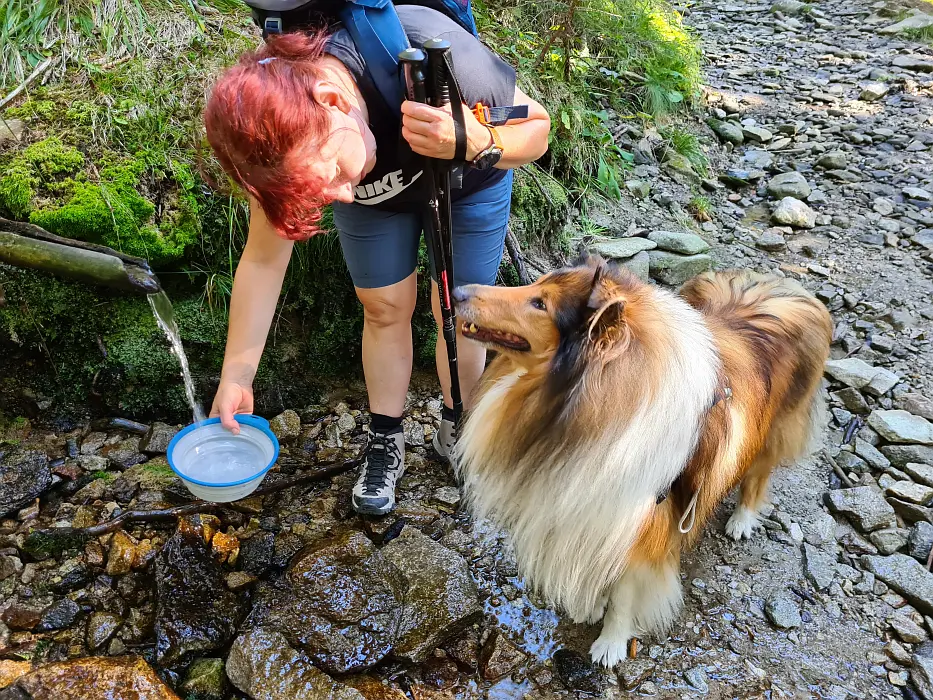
[374, 27]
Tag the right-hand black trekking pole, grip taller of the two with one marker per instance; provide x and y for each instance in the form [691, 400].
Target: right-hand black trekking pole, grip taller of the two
[440, 91]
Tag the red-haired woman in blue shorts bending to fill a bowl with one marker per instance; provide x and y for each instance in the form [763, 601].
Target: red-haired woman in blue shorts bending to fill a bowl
[299, 124]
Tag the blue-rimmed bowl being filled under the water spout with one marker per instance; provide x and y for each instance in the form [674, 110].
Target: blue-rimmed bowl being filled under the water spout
[217, 465]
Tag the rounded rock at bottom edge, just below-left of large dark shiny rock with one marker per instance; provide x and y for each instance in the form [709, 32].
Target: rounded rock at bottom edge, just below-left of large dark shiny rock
[263, 665]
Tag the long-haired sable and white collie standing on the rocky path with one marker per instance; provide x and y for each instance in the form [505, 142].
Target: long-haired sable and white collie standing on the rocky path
[617, 415]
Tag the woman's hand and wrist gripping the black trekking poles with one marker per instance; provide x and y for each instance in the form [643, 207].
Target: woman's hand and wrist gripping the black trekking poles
[430, 131]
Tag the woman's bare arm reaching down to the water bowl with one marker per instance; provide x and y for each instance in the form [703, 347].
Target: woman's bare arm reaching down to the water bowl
[256, 287]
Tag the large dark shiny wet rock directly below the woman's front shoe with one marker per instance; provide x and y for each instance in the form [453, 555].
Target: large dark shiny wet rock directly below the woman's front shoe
[344, 606]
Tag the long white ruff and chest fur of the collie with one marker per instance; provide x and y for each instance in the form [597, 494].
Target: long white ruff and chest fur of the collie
[574, 520]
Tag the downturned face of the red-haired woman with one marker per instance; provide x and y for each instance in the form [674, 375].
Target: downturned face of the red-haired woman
[347, 156]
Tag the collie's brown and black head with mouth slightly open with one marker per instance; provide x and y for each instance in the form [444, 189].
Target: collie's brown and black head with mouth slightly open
[568, 319]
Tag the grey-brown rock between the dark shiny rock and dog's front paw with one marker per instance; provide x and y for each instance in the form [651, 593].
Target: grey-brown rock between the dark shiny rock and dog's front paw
[441, 596]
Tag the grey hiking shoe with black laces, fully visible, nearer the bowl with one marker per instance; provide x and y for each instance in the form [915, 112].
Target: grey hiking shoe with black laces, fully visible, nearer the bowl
[383, 466]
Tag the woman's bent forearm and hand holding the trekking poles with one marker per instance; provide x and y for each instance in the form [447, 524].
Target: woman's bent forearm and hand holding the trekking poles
[430, 132]
